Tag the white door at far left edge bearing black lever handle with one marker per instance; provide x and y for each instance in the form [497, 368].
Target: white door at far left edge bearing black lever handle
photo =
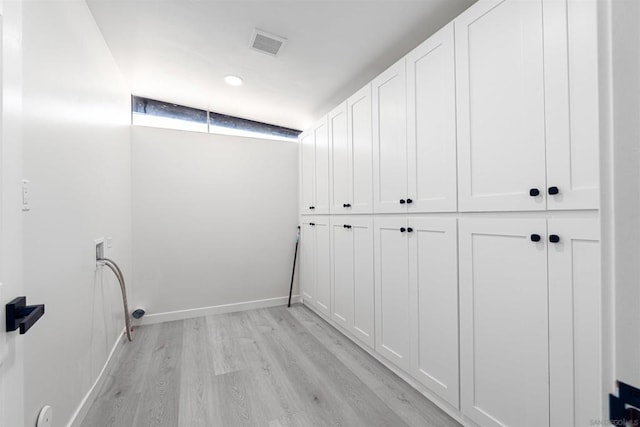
[11, 345]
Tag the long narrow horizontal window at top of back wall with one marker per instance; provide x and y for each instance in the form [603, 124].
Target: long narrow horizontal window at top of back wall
[150, 112]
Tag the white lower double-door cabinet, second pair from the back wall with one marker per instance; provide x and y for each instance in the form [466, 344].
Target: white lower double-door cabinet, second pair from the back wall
[353, 285]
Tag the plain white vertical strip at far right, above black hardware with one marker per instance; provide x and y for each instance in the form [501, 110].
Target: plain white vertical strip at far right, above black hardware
[625, 210]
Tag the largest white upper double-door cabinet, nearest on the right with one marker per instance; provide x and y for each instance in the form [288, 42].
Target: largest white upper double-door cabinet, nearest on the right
[527, 105]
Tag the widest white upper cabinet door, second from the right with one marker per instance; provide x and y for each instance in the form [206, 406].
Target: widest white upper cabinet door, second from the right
[500, 102]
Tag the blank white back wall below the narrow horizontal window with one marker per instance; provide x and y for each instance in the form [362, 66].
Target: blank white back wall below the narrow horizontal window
[214, 218]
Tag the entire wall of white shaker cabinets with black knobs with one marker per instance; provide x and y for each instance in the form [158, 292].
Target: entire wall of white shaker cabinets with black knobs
[473, 266]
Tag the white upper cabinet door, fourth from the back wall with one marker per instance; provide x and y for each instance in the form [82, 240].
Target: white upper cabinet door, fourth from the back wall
[361, 149]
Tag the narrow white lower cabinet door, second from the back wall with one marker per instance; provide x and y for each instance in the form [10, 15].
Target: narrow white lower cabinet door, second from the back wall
[323, 265]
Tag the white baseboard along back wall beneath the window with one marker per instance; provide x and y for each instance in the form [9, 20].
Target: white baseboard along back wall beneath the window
[151, 319]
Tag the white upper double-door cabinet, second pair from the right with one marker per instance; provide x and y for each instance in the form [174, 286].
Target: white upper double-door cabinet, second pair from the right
[415, 130]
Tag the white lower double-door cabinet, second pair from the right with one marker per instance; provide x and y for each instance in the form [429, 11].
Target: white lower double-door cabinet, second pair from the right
[417, 299]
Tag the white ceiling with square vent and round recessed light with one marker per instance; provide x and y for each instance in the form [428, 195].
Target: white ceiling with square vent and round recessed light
[180, 50]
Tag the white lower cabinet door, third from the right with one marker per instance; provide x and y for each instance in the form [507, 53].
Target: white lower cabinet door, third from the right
[433, 275]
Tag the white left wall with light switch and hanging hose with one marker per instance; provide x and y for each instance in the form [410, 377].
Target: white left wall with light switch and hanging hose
[77, 155]
